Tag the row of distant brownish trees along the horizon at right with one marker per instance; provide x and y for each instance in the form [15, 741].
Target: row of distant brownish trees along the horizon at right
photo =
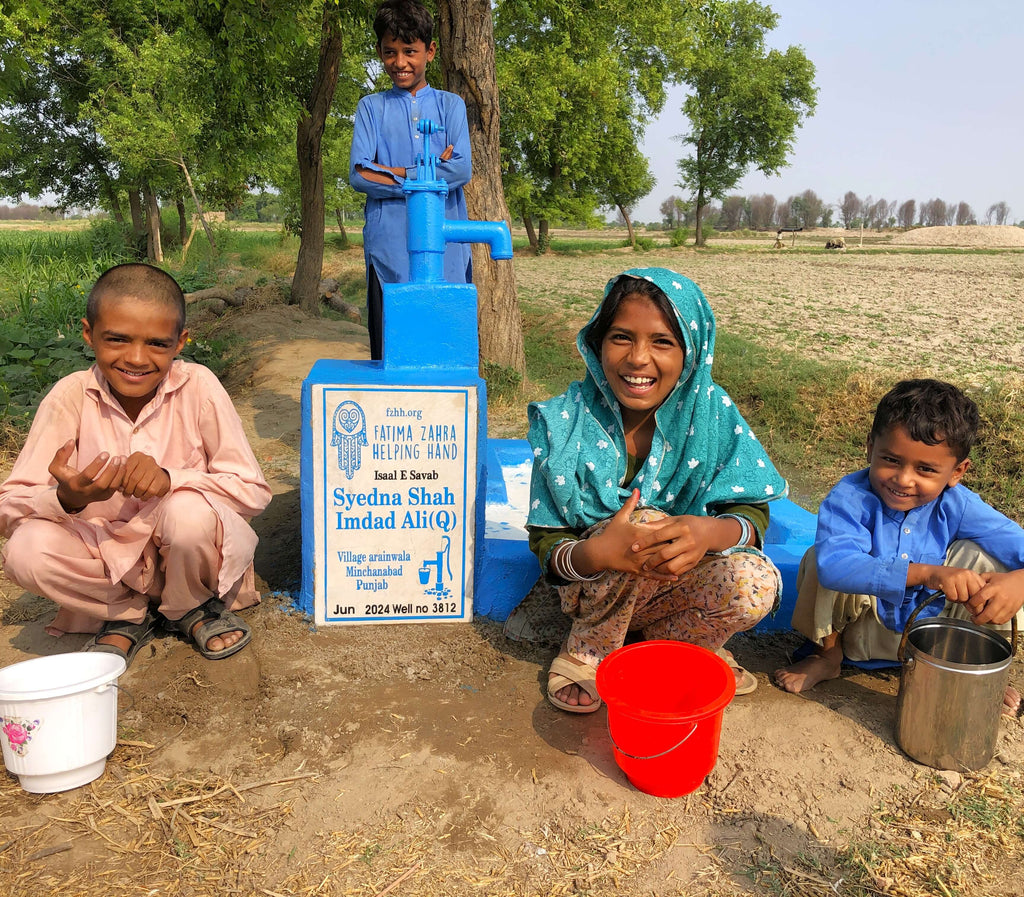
[765, 212]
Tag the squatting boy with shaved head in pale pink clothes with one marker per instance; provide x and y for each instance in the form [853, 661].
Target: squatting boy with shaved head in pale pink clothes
[129, 504]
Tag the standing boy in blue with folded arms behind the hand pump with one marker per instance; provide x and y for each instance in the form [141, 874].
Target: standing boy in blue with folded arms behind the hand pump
[386, 144]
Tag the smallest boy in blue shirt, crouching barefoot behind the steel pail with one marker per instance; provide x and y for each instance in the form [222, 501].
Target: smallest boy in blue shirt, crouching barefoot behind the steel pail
[904, 528]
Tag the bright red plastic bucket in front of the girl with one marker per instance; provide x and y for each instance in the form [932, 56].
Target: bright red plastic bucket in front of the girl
[666, 702]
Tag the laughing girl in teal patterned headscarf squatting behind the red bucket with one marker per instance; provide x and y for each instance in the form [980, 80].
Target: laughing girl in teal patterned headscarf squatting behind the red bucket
[649, 493]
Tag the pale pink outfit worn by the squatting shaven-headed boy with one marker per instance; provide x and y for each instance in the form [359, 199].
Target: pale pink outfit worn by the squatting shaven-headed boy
[111, 560]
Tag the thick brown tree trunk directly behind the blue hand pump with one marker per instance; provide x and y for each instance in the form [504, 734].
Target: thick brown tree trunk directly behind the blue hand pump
[465, 30]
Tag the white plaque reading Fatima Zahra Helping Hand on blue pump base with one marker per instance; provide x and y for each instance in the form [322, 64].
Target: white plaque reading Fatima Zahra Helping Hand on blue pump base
[395, 503]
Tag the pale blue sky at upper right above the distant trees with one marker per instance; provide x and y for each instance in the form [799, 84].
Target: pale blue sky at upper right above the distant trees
[917, 100]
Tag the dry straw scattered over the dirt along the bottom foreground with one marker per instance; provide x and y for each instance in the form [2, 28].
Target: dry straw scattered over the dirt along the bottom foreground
[198, 836]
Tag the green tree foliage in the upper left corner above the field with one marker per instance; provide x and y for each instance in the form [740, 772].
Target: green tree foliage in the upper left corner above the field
[114, 96]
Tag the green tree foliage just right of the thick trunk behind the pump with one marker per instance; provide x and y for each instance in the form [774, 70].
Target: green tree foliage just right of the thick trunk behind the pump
[579, 82]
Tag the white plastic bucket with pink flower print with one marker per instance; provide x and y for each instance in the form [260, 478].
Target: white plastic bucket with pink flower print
[59, 718]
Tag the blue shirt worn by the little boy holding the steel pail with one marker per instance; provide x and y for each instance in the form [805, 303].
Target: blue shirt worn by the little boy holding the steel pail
[866, 548]
